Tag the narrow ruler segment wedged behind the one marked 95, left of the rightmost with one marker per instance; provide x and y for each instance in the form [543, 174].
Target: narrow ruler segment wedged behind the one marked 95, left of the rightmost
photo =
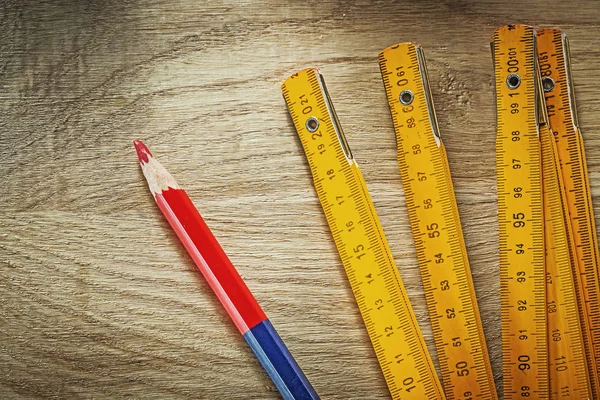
[568, 370]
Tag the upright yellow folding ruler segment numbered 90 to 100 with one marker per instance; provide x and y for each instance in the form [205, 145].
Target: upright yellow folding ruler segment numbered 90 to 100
[520, 215]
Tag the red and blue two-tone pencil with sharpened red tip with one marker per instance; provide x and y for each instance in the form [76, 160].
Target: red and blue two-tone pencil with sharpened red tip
[221, 275]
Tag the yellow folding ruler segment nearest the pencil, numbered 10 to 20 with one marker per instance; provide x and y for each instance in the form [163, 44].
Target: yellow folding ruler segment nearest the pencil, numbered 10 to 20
[361, 243]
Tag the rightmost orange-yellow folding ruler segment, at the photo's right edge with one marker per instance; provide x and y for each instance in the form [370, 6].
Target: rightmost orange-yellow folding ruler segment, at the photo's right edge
[558, 87]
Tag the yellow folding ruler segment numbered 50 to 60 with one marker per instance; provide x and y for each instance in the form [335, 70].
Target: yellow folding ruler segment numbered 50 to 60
[437, 232]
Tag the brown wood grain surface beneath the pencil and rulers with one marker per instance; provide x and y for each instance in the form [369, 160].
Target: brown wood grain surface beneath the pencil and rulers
[98, 299]
